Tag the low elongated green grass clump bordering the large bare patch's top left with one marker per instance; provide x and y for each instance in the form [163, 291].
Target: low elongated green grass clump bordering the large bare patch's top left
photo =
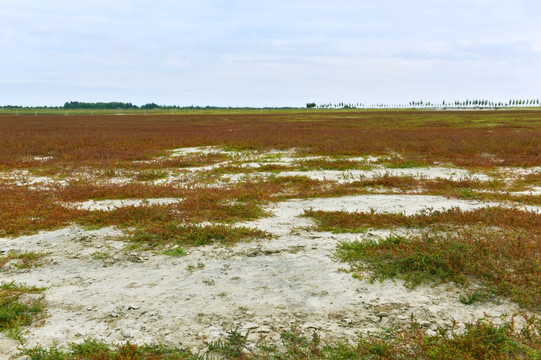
[157, 235]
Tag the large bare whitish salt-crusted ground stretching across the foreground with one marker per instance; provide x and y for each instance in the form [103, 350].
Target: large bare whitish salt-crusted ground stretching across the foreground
[265, 286]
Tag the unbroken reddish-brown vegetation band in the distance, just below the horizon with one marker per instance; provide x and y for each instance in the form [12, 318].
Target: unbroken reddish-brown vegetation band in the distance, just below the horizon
[513, 139]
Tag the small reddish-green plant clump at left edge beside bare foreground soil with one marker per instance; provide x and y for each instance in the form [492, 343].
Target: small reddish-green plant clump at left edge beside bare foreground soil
[13, 312]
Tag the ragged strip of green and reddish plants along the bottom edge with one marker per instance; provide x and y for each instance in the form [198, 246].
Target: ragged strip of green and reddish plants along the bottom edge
[479, 340]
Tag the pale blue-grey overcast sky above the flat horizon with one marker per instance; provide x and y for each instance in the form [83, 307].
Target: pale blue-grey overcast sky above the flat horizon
[268, 52]
